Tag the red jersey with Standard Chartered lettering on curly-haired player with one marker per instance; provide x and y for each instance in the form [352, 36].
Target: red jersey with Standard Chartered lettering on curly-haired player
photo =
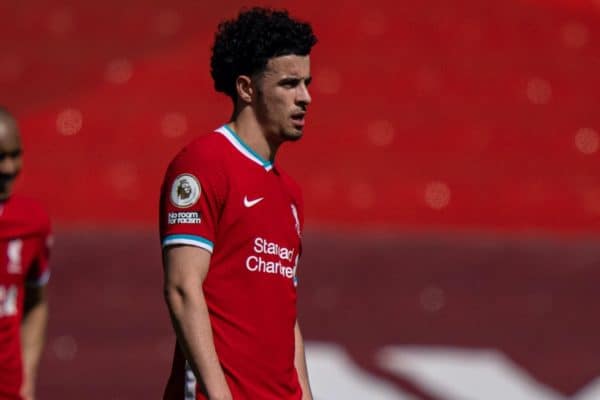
[221, 196]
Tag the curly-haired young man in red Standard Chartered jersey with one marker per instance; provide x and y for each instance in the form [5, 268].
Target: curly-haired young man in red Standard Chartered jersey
[231, 222]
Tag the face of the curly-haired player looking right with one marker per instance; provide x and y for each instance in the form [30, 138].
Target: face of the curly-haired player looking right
[283, 97]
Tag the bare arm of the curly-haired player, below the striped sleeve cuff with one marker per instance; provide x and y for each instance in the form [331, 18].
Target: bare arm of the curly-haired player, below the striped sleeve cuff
[185, 270]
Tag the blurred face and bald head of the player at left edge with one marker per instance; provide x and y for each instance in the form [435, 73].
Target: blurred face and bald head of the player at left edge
[10, 155]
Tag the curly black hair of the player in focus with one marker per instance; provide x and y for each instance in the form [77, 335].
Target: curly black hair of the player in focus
[243, 46]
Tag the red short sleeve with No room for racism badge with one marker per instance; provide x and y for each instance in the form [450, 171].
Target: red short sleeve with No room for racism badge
[191, 201]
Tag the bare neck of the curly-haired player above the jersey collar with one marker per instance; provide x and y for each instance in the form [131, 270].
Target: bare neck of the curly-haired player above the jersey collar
[246, 126]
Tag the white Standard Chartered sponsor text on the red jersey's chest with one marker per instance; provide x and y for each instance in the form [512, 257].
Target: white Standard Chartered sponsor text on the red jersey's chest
[284, 266]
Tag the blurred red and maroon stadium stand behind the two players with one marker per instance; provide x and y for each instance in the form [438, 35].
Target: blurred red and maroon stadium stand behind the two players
[450, 168]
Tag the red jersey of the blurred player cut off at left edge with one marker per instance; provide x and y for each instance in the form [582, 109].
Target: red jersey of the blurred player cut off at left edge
[24, 250]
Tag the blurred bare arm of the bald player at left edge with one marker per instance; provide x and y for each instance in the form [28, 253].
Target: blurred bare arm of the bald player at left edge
[33, 330]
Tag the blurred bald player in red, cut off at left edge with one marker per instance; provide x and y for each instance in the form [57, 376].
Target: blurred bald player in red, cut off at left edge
[24, 241]
